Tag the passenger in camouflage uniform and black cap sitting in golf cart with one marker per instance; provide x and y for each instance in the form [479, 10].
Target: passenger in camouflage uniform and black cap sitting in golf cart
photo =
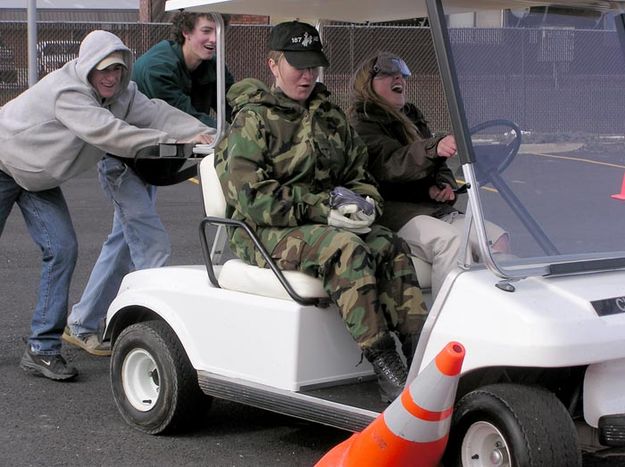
[287, 151]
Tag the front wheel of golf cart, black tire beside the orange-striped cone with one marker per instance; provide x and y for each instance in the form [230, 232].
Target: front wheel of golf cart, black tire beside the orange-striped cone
[512, 425]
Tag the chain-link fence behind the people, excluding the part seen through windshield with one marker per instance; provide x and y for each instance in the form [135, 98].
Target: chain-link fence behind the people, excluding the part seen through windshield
[246, 53]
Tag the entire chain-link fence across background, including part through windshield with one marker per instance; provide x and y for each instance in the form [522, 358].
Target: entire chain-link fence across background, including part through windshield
[540, 83]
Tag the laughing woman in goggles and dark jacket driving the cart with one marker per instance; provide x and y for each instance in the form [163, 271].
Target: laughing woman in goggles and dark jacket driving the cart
[410, 165]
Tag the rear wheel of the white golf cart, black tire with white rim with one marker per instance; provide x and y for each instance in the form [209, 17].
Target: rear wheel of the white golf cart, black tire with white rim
[154, 385]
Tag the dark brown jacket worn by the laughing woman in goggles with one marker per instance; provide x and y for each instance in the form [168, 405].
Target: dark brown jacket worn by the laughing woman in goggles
[405, 171]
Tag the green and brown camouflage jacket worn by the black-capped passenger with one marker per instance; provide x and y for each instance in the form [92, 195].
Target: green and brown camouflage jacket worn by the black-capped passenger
[280, 160]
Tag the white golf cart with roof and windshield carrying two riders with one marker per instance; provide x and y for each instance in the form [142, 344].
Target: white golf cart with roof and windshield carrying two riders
[535, 98]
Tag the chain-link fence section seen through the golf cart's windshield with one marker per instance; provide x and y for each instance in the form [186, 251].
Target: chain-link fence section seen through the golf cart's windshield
[546, 80]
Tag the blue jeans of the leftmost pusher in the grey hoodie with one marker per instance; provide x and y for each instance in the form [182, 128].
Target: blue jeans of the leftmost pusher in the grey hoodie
[50, 226]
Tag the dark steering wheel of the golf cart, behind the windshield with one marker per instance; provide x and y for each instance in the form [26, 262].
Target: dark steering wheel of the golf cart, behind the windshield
[493, 158]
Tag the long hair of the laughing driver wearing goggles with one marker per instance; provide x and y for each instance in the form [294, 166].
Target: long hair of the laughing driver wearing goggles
[363, 95]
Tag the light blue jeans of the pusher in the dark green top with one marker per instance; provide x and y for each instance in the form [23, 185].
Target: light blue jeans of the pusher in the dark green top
[137, 240]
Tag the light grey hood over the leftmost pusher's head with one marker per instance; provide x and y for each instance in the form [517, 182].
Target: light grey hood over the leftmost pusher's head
[96, 46]
